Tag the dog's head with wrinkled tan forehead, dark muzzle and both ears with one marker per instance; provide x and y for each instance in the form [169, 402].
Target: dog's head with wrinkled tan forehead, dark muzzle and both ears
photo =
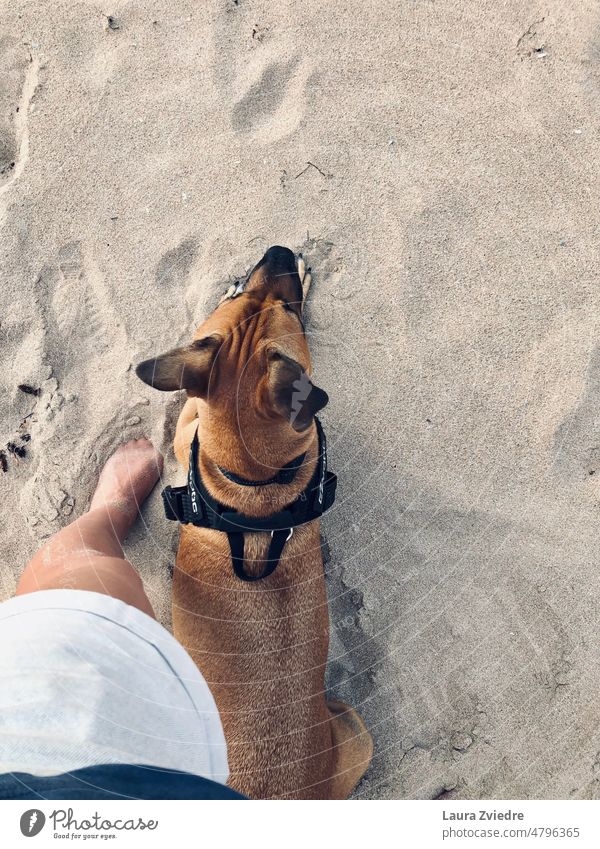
[250, 359]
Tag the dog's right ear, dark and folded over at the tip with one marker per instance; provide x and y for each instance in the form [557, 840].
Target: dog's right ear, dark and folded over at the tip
[290, 391]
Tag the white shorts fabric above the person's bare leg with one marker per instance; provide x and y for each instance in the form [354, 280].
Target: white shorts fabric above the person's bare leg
[86, 679]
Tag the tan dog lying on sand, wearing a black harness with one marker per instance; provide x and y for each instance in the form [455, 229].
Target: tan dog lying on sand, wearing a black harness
[261, 646]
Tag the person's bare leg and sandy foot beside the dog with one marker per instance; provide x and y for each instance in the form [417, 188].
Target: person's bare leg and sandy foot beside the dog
[87, 554]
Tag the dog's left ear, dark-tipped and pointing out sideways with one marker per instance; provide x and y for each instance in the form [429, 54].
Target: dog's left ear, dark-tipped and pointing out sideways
[182, 368]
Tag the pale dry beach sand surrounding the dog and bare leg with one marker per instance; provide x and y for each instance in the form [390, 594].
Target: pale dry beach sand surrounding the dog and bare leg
[453, 223]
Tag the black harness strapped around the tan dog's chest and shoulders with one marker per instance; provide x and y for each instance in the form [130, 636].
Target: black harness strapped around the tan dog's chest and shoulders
[194, 505]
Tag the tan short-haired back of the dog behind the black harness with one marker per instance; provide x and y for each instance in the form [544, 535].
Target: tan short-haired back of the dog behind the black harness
[262, 648]
